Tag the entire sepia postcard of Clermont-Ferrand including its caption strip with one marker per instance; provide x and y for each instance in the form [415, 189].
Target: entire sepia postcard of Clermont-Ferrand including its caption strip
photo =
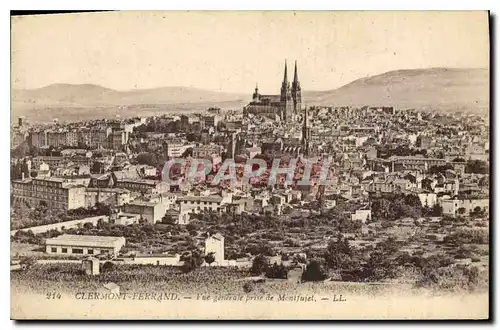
[250, 165]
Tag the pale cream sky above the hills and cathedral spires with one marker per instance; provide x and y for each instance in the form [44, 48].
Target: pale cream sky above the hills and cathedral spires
[232, 51]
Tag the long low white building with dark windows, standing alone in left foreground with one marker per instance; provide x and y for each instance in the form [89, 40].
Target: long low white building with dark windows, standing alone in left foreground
[84, 245]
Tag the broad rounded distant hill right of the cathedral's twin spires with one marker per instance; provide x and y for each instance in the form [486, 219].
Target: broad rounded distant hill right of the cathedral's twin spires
[427, 89]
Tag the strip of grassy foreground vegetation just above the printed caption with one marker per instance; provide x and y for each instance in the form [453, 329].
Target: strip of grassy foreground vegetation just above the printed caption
[224, 280]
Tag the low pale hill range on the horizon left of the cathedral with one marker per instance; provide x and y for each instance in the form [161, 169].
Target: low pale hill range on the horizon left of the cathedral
[69, 102]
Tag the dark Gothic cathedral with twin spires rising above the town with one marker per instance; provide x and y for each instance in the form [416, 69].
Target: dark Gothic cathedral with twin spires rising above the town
[285, 106]
